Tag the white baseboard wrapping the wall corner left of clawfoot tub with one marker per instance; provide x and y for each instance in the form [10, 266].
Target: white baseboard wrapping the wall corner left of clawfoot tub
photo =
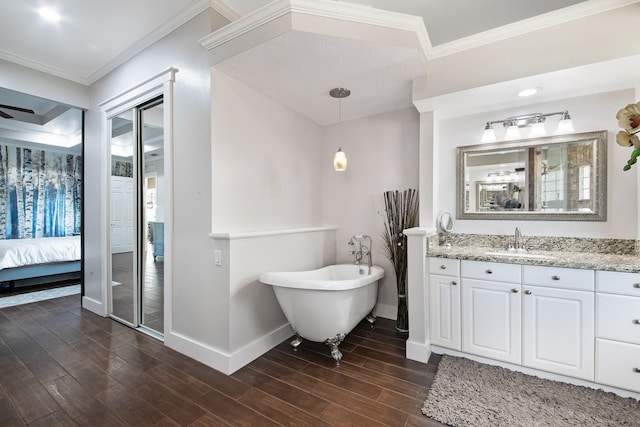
[220, 360]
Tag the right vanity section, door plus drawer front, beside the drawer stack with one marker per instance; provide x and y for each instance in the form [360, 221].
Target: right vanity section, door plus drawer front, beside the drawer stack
[558, 320]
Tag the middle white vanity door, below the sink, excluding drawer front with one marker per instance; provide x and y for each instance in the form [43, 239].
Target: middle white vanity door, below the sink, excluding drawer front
[491, 319]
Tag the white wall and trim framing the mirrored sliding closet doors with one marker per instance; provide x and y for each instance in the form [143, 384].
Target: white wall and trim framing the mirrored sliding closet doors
[199, 306]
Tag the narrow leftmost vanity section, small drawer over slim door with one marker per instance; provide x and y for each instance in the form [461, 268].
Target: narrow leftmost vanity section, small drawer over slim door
[444, 302]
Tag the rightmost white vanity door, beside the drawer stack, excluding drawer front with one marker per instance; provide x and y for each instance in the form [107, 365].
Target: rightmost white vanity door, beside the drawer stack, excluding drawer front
[558, 331]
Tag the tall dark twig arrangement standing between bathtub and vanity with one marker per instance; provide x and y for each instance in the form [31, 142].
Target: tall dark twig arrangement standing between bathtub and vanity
[402, 213]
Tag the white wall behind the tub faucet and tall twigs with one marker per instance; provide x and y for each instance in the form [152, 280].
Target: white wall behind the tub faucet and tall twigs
[382, 154]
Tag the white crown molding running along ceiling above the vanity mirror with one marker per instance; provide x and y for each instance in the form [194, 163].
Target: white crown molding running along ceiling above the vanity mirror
[561, 16]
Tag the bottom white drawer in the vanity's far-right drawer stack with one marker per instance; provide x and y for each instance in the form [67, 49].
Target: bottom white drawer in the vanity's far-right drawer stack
[618, 364]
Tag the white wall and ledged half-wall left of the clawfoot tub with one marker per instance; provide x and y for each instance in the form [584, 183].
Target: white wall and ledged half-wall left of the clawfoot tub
[265, 178]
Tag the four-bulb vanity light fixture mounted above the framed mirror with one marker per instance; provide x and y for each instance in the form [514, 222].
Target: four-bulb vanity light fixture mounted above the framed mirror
[535, 120]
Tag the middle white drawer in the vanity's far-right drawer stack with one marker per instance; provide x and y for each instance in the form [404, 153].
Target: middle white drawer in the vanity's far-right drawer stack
[618, 318]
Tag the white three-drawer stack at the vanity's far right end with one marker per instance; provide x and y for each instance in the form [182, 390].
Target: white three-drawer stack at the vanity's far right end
[618, 329]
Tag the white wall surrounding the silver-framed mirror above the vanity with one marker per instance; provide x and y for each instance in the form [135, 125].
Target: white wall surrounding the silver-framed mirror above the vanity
[589, 113]
